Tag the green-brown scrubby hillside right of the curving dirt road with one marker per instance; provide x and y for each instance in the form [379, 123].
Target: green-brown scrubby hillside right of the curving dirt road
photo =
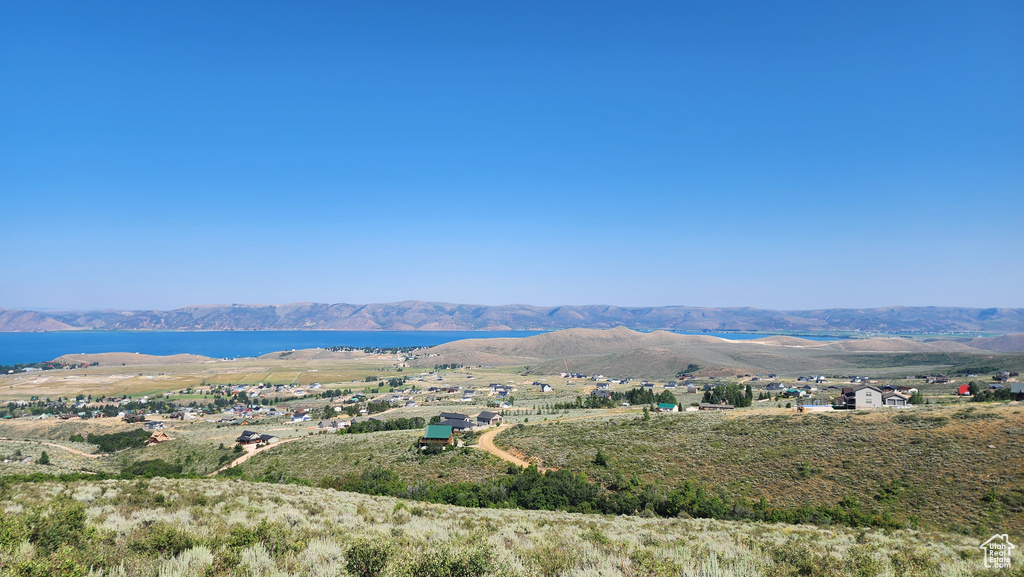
[957, 468]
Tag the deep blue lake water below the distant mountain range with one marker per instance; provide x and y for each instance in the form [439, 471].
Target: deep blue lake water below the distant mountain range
[33, 348]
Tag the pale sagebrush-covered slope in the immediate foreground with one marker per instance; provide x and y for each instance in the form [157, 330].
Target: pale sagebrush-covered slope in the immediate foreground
[218, 528]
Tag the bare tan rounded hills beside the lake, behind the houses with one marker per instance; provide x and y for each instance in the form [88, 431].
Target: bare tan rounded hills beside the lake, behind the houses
[622, 352]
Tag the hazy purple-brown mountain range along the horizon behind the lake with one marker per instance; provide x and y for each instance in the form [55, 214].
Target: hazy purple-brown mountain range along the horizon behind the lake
[415, 315]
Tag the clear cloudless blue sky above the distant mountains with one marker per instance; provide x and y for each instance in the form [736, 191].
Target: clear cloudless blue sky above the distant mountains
[791, 155]
